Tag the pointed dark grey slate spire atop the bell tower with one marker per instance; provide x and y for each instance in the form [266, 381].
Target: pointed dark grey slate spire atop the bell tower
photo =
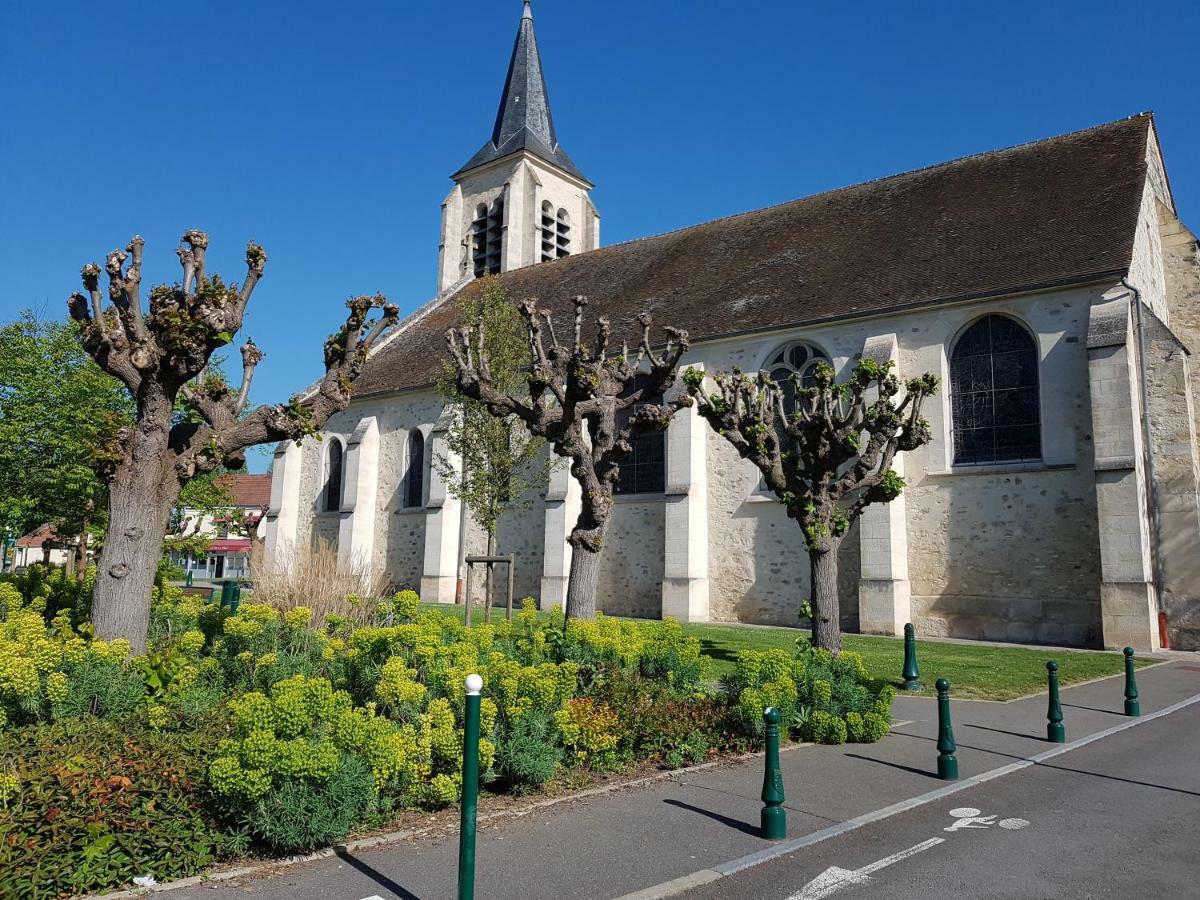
[524, 121]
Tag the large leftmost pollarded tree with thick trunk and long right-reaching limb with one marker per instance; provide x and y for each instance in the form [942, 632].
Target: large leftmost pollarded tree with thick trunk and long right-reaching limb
[158, 356]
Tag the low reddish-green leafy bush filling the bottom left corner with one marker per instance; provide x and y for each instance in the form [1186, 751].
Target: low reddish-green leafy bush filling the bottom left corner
[92, 805]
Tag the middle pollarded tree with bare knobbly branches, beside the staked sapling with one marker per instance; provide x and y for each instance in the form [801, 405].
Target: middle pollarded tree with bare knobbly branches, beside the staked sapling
[590, 405]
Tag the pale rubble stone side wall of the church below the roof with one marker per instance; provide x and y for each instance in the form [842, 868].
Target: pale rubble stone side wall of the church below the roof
[1003, 553]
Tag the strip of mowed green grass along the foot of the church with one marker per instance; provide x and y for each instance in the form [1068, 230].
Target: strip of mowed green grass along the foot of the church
[975, 671]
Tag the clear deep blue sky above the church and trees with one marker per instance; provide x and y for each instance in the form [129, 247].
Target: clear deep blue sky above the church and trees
[328, 131]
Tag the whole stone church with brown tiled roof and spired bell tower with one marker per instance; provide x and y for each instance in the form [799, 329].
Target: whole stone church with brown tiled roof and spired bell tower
[1052, 286]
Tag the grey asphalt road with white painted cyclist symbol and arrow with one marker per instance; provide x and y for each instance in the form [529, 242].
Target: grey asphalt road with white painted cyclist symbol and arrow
[1117, 819]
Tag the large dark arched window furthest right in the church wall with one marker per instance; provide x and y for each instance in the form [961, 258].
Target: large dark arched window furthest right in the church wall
[994, 394]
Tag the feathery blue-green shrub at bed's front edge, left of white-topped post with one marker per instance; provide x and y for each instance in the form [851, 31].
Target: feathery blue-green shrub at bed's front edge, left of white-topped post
[304, 814]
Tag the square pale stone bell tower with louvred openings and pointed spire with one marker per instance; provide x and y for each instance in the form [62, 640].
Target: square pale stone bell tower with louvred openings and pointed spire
[520, 201]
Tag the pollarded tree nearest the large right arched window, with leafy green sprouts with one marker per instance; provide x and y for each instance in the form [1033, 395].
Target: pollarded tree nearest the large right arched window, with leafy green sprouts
[826, 452]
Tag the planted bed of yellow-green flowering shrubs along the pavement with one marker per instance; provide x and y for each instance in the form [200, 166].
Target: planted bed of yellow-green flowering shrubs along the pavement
[268, 731]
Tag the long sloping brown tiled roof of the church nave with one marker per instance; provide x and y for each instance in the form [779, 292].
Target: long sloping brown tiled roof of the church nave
[1051, 213]
